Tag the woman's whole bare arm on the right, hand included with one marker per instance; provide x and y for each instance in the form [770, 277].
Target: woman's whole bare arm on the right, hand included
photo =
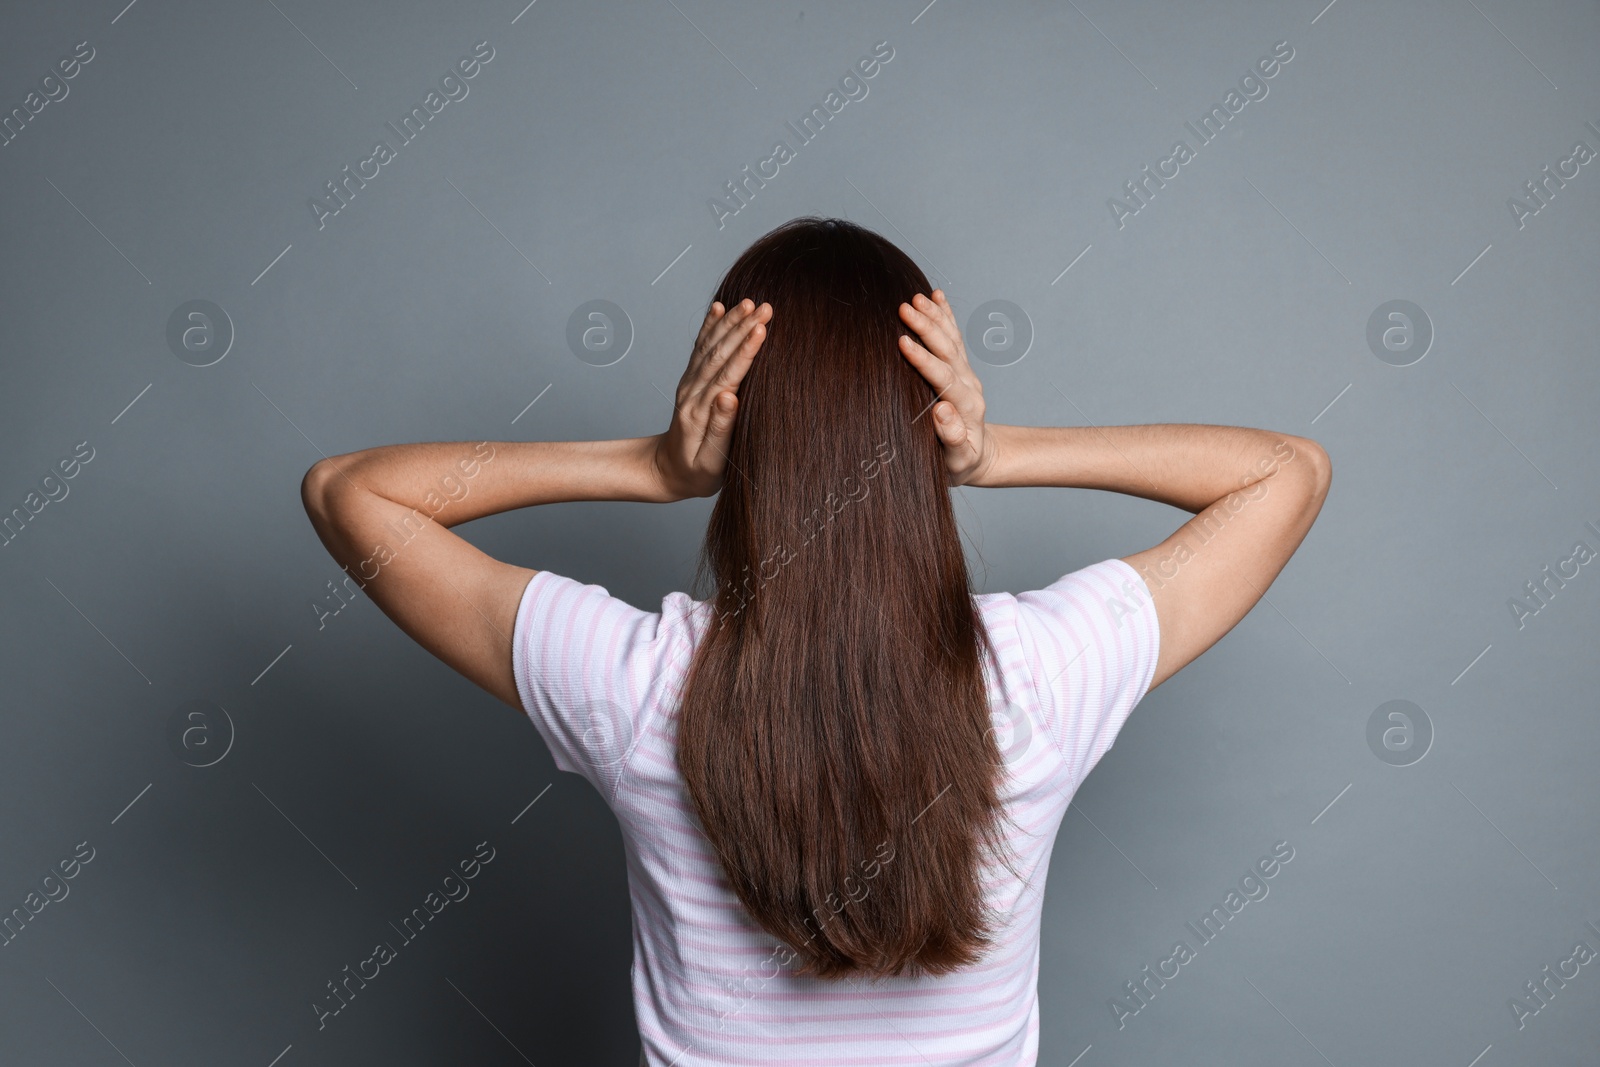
[1254, 494]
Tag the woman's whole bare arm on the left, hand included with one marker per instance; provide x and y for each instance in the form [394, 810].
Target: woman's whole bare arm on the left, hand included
[385, 514]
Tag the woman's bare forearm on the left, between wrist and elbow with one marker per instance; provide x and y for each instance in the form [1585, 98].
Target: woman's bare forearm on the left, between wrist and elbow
[455, 482]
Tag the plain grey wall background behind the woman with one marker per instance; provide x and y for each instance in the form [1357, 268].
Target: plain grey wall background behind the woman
[434, 308]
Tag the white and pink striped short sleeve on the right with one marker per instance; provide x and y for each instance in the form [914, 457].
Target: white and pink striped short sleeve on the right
[1090, 641]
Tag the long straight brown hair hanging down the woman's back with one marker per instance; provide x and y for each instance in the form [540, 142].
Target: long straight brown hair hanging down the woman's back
[834, 730]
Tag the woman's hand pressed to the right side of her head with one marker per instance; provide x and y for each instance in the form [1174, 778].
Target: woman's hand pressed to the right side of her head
[959, 409]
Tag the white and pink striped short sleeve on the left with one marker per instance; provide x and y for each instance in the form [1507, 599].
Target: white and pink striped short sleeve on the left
[590, 668]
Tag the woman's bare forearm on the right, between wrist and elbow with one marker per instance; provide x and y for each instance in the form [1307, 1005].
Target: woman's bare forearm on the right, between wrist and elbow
[1190, 466]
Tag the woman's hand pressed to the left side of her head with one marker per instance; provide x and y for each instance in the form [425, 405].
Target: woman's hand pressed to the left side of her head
[692, 455]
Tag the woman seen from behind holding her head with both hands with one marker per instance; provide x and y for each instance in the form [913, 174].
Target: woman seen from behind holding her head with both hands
[839, 778]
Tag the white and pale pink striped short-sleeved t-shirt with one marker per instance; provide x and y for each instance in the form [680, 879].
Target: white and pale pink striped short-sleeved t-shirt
[601, 682]
